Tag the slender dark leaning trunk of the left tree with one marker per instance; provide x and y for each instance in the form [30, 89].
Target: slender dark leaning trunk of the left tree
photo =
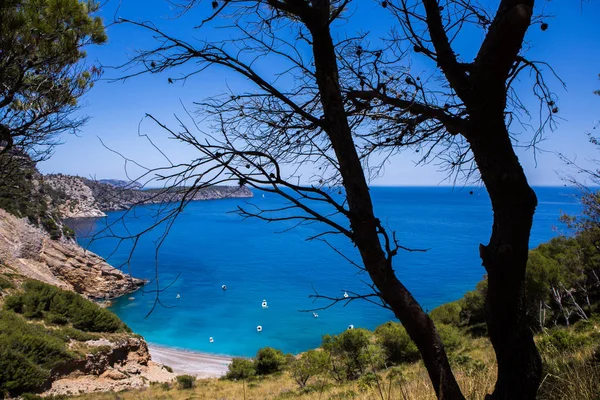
[364, 225]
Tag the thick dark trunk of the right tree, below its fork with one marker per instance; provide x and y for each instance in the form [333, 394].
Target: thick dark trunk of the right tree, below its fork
[505, 258]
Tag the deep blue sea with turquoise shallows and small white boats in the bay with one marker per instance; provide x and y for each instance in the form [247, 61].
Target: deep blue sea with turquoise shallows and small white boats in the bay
[208, 246]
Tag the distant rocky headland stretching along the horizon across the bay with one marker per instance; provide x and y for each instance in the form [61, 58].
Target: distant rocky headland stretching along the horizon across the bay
[85, 198]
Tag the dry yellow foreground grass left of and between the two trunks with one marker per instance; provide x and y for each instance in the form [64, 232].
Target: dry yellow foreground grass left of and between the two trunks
[408, 382]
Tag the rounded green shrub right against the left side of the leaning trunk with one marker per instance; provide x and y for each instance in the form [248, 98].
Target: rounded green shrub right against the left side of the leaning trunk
[396, 343]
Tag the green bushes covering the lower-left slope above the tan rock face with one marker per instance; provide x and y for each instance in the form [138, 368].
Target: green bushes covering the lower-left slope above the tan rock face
[39, 326]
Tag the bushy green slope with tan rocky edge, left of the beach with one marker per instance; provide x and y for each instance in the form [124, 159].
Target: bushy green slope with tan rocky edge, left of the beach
[57, 342]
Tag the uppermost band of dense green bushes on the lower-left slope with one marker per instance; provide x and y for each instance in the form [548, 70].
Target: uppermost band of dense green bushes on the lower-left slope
[57, 306]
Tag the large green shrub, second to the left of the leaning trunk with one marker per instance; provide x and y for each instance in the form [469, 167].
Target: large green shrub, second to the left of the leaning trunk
[352, 353]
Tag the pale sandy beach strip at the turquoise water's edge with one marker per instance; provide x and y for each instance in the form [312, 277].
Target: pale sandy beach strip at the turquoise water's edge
[188, 362]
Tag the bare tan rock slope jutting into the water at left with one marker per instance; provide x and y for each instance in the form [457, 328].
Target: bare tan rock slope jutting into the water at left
[31, 252]
